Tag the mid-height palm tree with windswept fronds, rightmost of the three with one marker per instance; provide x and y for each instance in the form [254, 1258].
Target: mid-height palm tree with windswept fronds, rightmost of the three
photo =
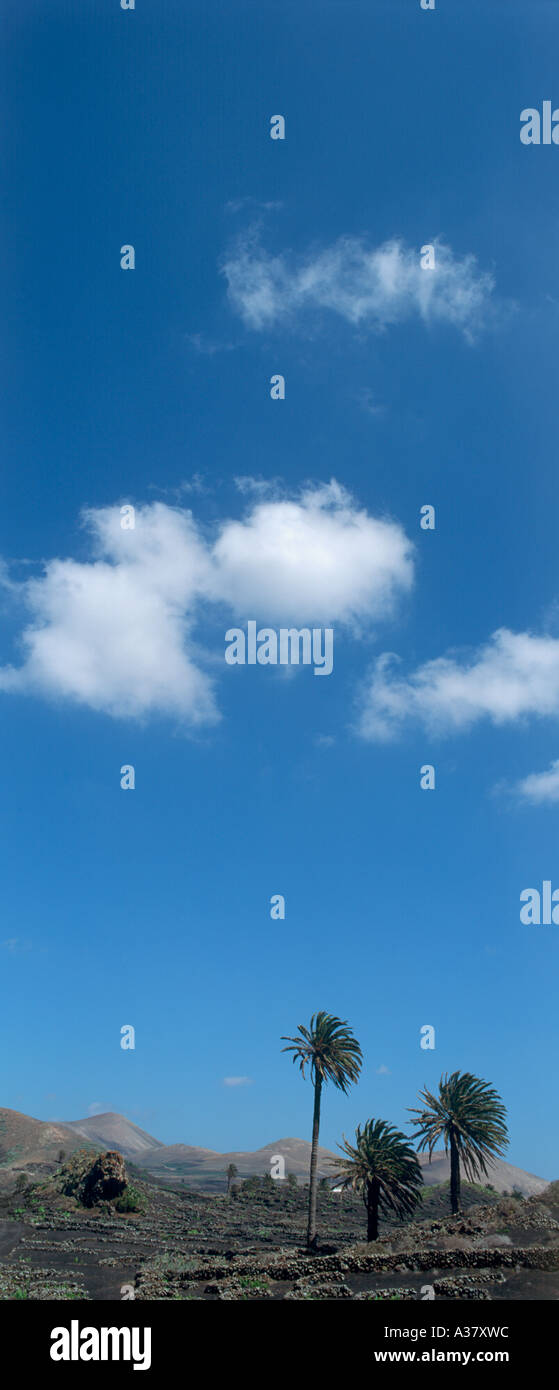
[469, 1117]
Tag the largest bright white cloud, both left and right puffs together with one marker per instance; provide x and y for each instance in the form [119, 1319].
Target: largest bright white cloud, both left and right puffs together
[123, 632]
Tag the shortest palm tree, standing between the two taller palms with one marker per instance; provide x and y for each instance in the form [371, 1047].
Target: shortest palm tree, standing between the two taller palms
[383, 1167]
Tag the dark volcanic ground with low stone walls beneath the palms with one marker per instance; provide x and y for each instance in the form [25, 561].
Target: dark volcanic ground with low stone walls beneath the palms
[186, 1245]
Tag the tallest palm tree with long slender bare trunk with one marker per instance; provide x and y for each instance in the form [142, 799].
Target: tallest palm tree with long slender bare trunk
[333, 1054]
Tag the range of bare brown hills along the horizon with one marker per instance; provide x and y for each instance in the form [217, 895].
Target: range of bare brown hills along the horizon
[29, 1143]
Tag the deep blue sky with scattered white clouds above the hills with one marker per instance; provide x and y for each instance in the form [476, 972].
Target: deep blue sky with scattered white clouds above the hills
[152, 389]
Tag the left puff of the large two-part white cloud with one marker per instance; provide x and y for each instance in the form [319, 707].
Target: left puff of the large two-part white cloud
[115, 633]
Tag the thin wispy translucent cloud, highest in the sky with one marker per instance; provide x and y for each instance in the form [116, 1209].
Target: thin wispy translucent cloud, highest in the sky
[369, 287]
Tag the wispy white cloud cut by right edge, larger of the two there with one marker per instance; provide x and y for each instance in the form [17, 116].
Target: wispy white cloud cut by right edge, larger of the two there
[512, 676]
